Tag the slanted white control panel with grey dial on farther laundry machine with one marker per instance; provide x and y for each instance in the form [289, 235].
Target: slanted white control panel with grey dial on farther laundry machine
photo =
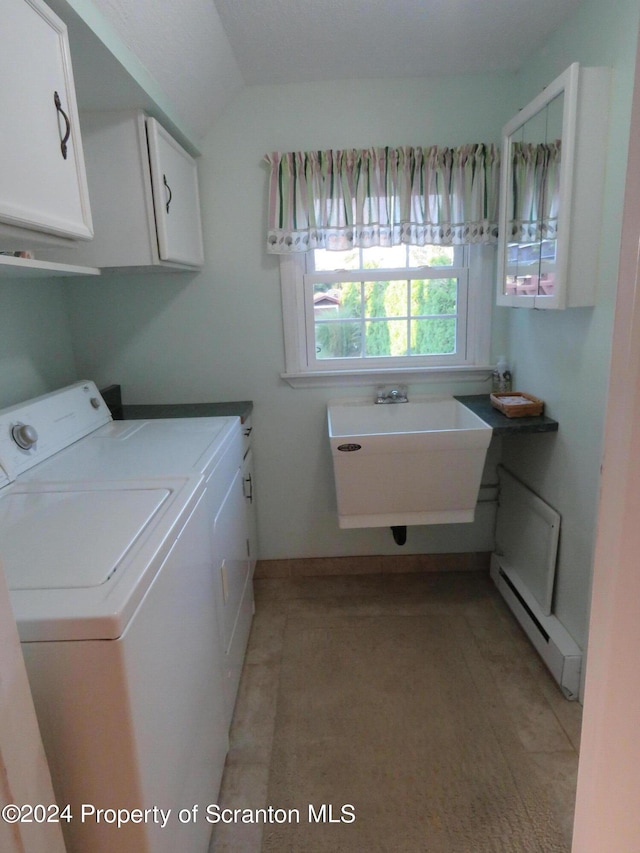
[32, 431]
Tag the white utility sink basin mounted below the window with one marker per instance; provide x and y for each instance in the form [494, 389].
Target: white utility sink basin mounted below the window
[419, 462]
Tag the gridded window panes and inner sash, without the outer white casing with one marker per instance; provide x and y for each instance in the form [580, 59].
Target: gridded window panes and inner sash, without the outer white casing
[381, 305]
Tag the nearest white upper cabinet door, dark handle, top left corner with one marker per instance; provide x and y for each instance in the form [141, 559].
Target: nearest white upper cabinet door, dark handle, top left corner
[43, 185]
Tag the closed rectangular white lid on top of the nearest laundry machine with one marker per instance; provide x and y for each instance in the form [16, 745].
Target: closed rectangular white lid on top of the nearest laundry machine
[71, 539]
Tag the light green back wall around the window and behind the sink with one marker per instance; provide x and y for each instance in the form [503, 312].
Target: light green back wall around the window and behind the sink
[218, 334]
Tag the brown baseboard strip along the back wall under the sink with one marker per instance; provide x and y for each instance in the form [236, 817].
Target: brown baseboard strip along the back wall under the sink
[475, 561]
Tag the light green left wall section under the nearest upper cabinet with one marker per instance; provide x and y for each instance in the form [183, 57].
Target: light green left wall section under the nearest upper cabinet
[35, 340]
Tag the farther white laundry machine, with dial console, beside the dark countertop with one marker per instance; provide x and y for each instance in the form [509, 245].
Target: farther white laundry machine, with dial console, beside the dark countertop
[171, 447]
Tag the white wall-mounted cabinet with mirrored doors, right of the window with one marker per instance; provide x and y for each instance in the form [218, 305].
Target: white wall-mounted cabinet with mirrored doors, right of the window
[551, 192]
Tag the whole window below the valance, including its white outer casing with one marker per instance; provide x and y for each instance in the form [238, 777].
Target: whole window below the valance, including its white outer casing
[386, 312]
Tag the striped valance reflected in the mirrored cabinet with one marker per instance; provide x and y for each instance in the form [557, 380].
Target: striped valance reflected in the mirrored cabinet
[535, 187]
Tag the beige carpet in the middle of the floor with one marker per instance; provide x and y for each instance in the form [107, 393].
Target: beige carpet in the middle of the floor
[427, 758]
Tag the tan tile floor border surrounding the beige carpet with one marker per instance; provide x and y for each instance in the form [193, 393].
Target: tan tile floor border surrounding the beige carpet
[547, 725]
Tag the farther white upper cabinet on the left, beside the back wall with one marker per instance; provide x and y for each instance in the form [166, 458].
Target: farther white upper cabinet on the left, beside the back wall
[144, 196]
